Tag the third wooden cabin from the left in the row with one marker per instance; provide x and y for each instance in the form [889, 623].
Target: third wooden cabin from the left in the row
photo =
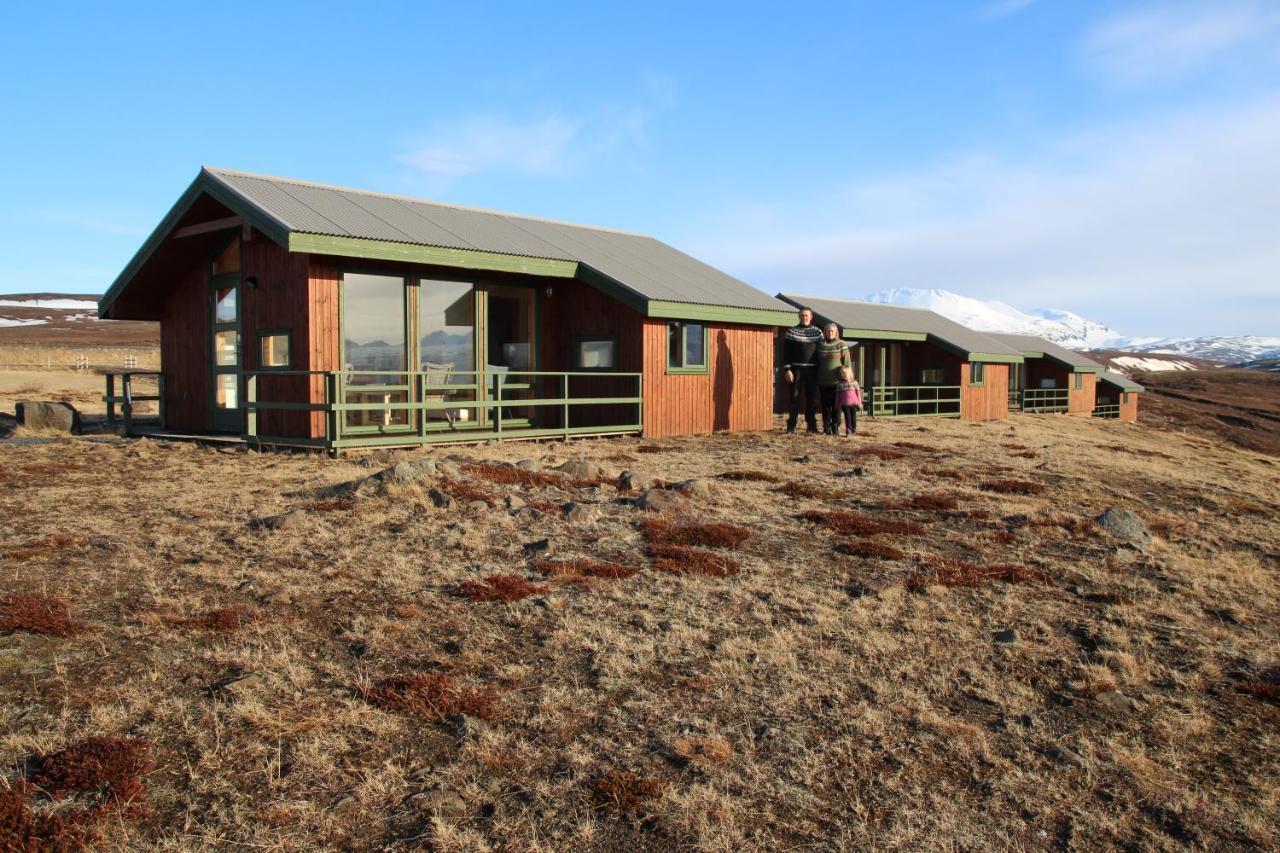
[1053, 378]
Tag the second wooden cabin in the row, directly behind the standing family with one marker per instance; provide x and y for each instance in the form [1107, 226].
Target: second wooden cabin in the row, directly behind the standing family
[916, 363]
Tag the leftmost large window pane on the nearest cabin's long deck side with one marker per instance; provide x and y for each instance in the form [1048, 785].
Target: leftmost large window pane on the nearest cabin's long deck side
[373, 309]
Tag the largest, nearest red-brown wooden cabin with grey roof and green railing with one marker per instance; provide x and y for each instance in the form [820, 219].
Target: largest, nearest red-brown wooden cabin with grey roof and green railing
[305, 314]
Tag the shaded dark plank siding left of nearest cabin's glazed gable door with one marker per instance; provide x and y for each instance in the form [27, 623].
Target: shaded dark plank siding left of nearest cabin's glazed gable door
[186, 353]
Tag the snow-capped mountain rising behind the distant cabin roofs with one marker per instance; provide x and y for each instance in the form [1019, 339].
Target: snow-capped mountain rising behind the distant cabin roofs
[1066, 329]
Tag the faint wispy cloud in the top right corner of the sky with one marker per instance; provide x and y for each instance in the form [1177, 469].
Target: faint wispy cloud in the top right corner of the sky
[1163, 43]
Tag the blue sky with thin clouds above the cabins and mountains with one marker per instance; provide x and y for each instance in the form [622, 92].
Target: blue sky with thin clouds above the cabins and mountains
[1109, 158]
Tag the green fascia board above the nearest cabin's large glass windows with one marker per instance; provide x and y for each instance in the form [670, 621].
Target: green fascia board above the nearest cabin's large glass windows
[437, 256]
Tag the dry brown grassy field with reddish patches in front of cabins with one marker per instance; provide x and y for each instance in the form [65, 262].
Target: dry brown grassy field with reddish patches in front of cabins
[916, 638]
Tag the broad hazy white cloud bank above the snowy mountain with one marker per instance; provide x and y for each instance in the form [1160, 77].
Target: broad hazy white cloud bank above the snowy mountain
[1158, 227]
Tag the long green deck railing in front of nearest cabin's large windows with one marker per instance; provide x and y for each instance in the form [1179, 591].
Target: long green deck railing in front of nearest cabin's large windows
[399, 408]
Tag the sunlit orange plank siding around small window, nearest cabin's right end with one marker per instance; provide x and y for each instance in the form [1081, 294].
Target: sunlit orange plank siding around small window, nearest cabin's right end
[737, 394]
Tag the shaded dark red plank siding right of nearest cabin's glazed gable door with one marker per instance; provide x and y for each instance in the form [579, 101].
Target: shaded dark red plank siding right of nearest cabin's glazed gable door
[280, 302]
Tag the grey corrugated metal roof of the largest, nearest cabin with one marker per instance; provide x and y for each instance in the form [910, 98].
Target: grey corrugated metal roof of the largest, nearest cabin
[637, 262]
